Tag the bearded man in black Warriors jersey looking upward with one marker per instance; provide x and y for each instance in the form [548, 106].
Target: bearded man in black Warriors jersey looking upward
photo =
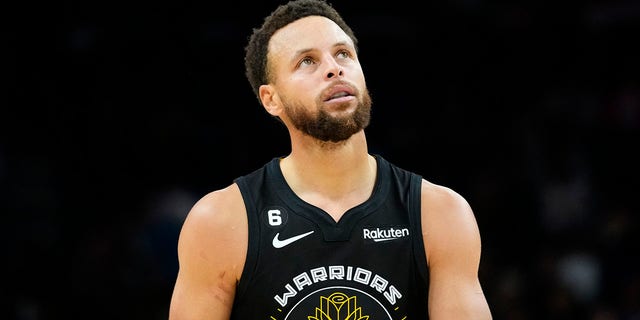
[328, 231]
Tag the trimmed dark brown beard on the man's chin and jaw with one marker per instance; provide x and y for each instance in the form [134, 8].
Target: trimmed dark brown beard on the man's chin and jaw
[327, 128]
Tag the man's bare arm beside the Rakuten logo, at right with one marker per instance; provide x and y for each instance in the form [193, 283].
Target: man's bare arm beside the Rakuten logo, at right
[452, 246]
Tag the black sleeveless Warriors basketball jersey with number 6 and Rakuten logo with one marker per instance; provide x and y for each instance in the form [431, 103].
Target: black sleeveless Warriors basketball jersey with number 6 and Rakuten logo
[302, 265]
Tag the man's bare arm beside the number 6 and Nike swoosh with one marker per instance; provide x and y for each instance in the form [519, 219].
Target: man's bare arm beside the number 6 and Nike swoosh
[211, 254]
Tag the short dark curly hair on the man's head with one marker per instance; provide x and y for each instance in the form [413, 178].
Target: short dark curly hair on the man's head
[255, 60]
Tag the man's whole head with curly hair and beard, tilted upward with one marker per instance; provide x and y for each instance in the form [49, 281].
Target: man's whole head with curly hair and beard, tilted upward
[304, 68]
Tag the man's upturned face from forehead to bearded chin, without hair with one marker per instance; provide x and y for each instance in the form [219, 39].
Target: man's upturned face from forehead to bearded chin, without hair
[318, 79]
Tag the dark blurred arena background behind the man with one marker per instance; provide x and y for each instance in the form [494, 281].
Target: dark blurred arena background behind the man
[117, 116]
